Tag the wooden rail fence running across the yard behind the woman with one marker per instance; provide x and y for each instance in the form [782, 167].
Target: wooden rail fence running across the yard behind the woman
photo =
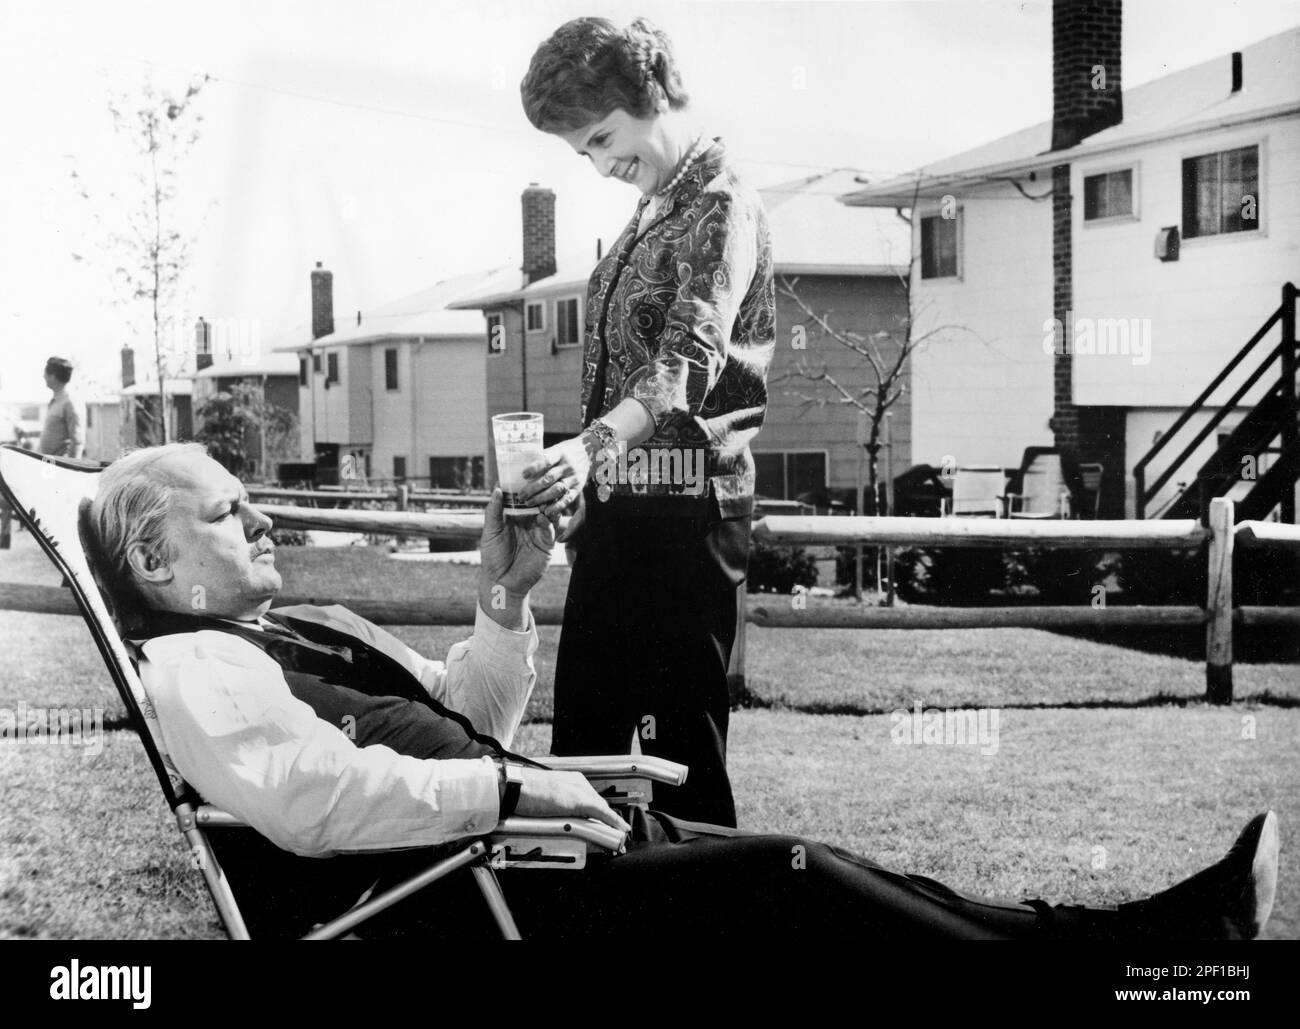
[766, 610]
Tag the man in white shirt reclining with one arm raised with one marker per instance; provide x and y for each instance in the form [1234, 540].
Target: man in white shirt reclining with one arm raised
[332, 739]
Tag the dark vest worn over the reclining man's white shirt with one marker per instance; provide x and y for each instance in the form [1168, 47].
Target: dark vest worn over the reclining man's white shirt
[348, 683]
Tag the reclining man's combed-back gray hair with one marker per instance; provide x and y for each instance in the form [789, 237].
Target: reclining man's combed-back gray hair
[132, 507]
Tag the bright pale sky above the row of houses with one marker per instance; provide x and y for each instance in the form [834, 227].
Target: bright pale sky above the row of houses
[387, 140]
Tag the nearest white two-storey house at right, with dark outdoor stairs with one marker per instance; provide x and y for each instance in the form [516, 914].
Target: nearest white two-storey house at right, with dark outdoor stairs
[1102, 270]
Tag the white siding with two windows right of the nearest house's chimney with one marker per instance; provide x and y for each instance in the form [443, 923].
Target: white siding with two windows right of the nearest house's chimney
[1207, 305]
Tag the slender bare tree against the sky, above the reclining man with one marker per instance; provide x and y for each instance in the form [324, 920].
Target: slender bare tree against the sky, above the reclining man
[141, 232]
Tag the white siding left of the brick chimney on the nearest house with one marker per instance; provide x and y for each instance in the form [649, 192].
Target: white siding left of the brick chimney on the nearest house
[982, 392]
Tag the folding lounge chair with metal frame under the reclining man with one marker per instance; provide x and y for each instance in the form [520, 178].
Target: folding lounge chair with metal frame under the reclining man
[50, 496]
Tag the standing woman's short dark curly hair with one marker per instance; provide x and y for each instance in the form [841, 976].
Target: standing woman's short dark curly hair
[590, 68]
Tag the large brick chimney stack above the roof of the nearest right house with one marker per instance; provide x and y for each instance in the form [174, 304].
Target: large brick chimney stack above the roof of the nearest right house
[1086, 88]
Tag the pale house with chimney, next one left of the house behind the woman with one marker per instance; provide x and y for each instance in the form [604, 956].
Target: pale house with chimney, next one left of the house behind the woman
[398, 394]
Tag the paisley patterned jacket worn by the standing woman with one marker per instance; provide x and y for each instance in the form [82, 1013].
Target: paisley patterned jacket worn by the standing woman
[682, 318]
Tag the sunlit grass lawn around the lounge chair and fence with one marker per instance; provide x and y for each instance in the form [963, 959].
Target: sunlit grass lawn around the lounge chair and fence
[1104, 794]
